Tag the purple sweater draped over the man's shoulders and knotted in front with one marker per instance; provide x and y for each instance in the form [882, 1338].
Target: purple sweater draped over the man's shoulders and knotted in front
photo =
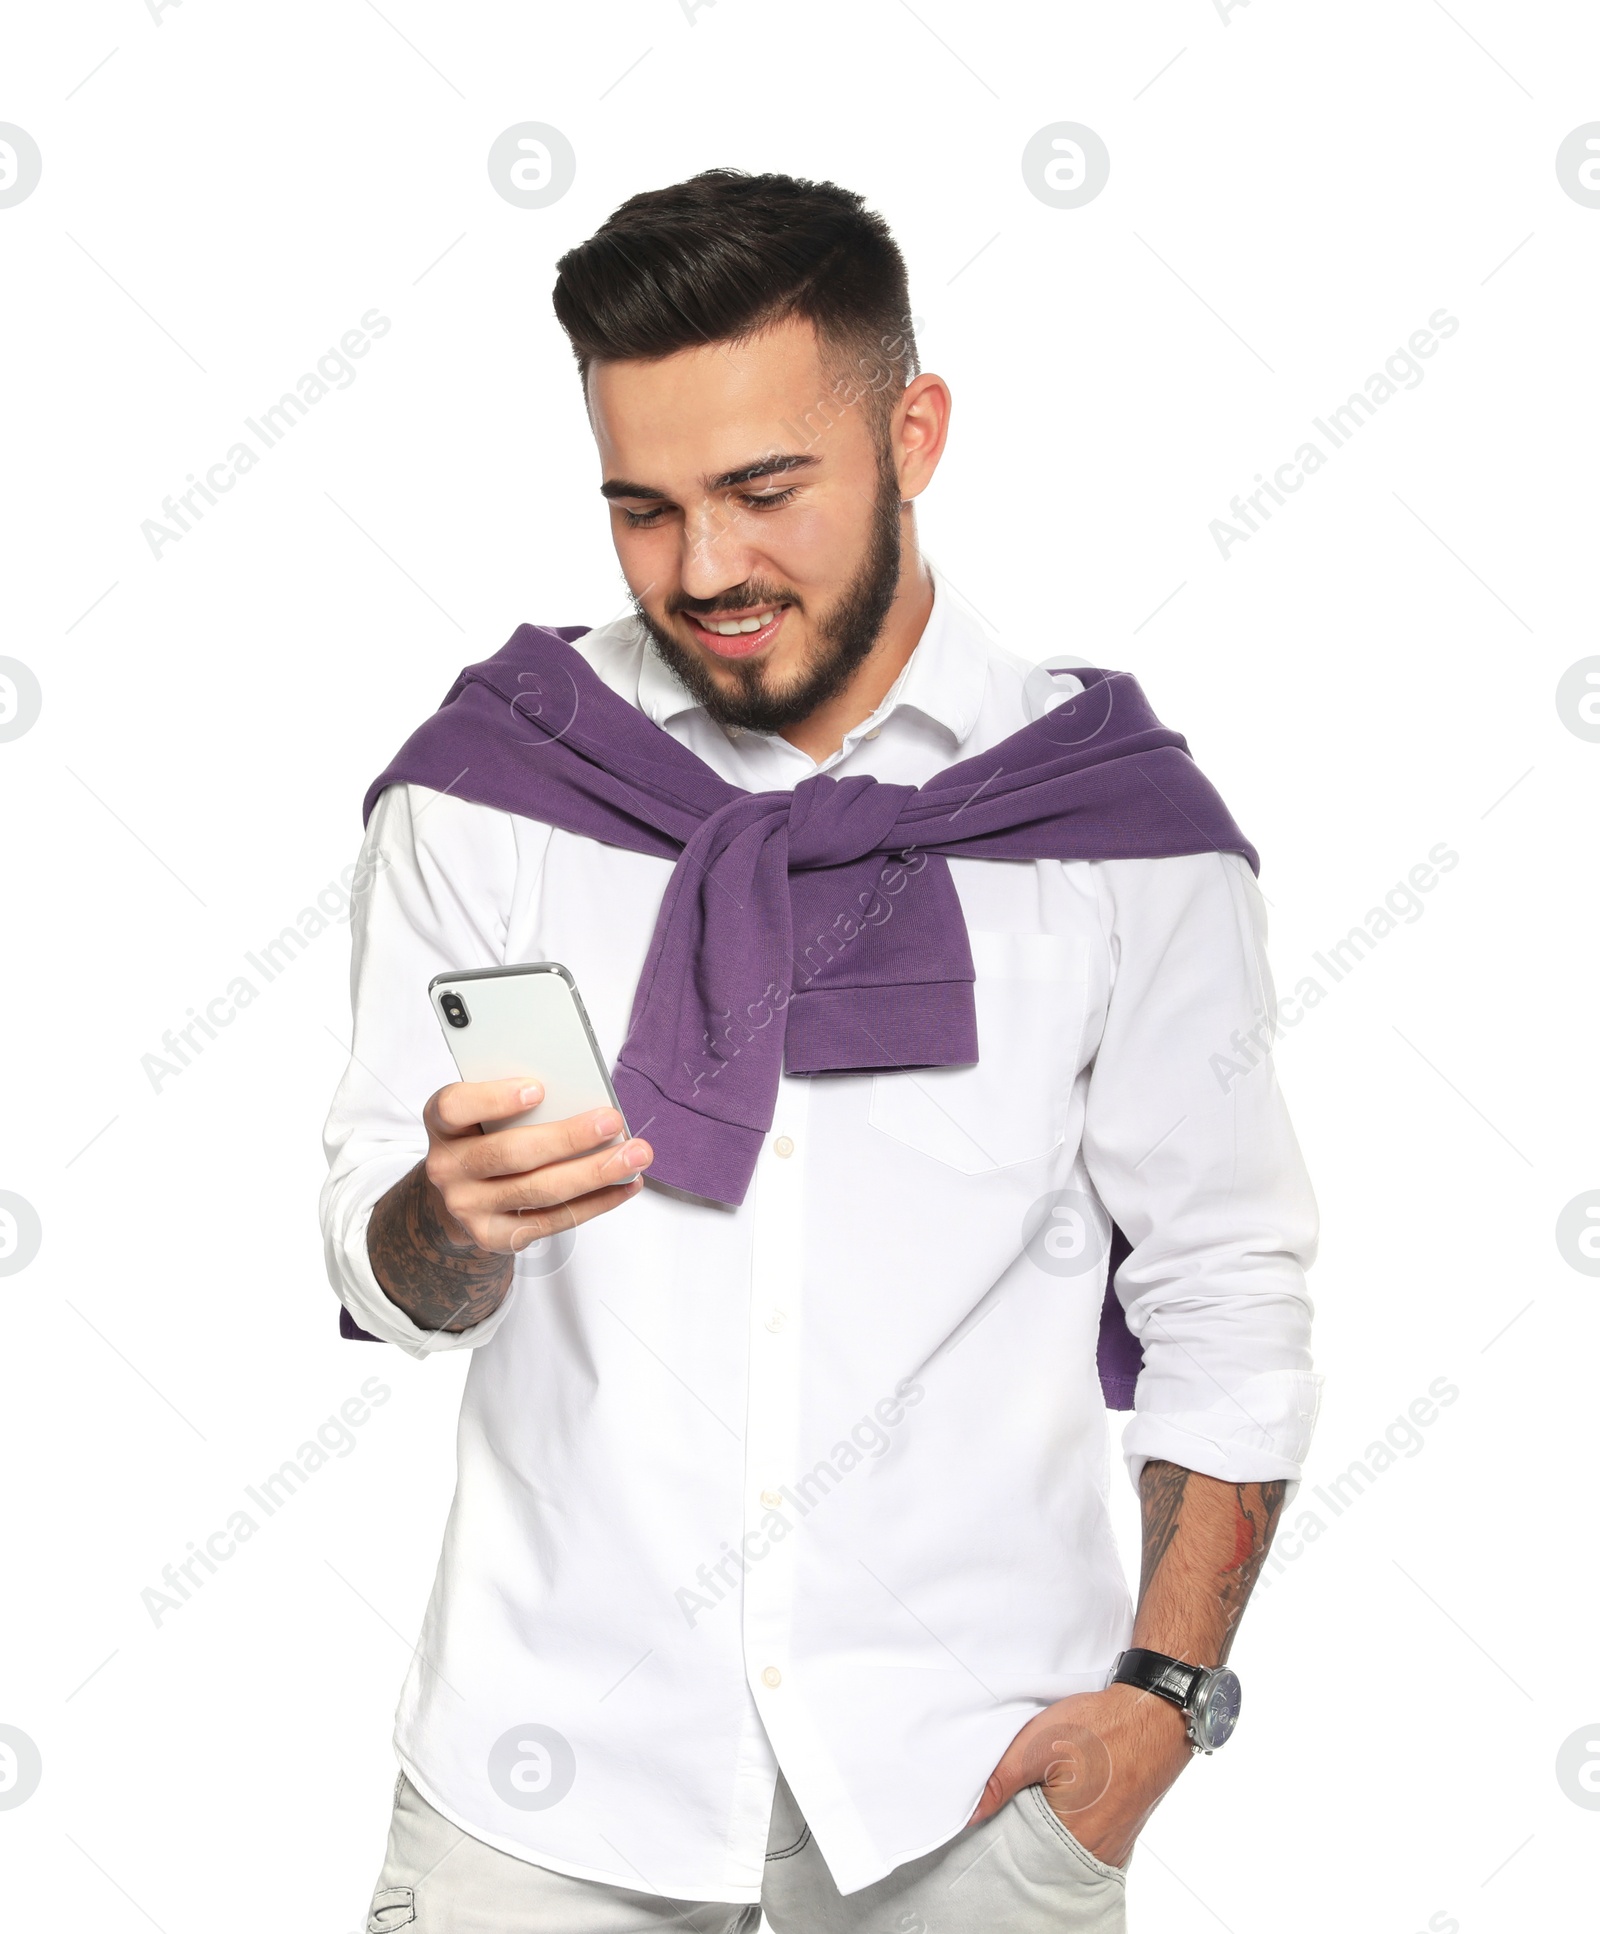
[806, 931]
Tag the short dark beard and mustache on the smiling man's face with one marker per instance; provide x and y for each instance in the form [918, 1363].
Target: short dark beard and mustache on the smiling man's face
[844, 639]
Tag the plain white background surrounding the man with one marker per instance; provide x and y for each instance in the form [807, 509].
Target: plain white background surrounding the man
[1293, 192]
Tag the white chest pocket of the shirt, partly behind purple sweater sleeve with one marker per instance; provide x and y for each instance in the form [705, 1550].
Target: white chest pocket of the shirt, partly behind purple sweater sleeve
[1013, 1107]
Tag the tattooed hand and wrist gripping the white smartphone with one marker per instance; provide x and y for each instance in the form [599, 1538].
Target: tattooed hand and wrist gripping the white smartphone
[444, 1239]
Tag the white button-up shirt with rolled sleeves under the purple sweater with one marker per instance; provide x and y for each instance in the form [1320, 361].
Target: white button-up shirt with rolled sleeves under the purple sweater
[821, 1482]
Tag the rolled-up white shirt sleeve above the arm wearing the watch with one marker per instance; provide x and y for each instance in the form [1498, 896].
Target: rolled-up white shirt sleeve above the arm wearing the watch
[1189, 1146]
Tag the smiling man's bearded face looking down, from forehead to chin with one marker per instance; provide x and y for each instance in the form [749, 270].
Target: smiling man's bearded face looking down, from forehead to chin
[757, 519]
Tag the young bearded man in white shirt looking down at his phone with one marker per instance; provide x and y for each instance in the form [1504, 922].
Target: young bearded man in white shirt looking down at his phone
[779, 1568]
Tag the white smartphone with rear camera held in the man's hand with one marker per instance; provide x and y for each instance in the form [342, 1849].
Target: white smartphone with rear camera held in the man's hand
[525, 1020]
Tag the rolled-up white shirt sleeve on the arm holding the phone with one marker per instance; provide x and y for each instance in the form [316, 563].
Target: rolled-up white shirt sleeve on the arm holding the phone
[432, 891]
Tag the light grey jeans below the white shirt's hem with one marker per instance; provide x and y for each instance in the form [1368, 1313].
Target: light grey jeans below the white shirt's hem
[1021, 1873]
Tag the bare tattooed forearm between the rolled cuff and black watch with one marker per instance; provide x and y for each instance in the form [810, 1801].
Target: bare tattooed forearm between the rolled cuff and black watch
[1204, 1546]
